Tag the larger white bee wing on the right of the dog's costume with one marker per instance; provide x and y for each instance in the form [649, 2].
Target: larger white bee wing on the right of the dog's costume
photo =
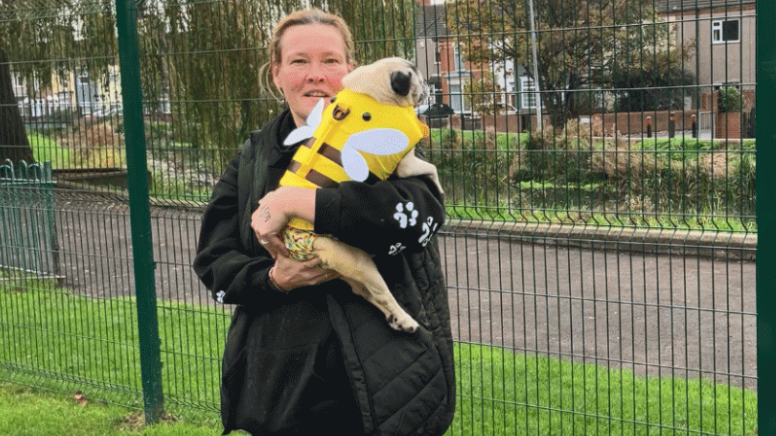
[380, 142]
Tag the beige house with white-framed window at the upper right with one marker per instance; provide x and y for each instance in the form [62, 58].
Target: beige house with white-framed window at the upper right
[723, 35]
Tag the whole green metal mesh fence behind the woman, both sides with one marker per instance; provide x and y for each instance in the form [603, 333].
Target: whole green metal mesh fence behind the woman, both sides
[598, 162]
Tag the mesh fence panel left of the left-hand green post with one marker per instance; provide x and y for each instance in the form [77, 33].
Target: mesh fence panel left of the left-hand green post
[78, 332]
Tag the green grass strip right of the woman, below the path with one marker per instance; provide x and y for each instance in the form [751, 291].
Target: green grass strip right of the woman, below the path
[504, 393]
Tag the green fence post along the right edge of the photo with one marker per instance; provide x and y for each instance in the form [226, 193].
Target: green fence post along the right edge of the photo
[766, 217]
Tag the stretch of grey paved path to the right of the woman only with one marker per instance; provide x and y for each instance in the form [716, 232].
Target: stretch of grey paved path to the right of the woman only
[656, 314]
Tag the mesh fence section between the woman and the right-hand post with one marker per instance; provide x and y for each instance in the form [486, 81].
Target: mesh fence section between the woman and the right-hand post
[601, 243]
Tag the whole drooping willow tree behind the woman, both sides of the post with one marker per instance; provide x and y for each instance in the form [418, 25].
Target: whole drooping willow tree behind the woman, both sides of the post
[204, 58]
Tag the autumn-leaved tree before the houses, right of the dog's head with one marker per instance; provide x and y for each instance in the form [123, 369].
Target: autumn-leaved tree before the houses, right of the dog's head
[579, 43]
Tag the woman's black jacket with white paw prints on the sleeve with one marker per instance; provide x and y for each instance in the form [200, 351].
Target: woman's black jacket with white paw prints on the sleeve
[403, 384]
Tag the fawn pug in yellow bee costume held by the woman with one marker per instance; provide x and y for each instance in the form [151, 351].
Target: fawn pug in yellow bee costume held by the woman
[367, 133]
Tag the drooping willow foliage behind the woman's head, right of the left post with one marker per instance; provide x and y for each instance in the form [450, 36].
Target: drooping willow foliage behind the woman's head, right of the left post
[209, 58]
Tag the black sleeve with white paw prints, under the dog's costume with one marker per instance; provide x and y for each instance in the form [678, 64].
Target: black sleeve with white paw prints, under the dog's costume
[384, 218]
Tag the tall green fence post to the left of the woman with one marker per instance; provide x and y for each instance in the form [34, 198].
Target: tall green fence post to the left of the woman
[140, 213]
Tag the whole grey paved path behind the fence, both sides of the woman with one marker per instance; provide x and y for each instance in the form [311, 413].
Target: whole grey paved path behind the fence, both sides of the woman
[658, 314]
